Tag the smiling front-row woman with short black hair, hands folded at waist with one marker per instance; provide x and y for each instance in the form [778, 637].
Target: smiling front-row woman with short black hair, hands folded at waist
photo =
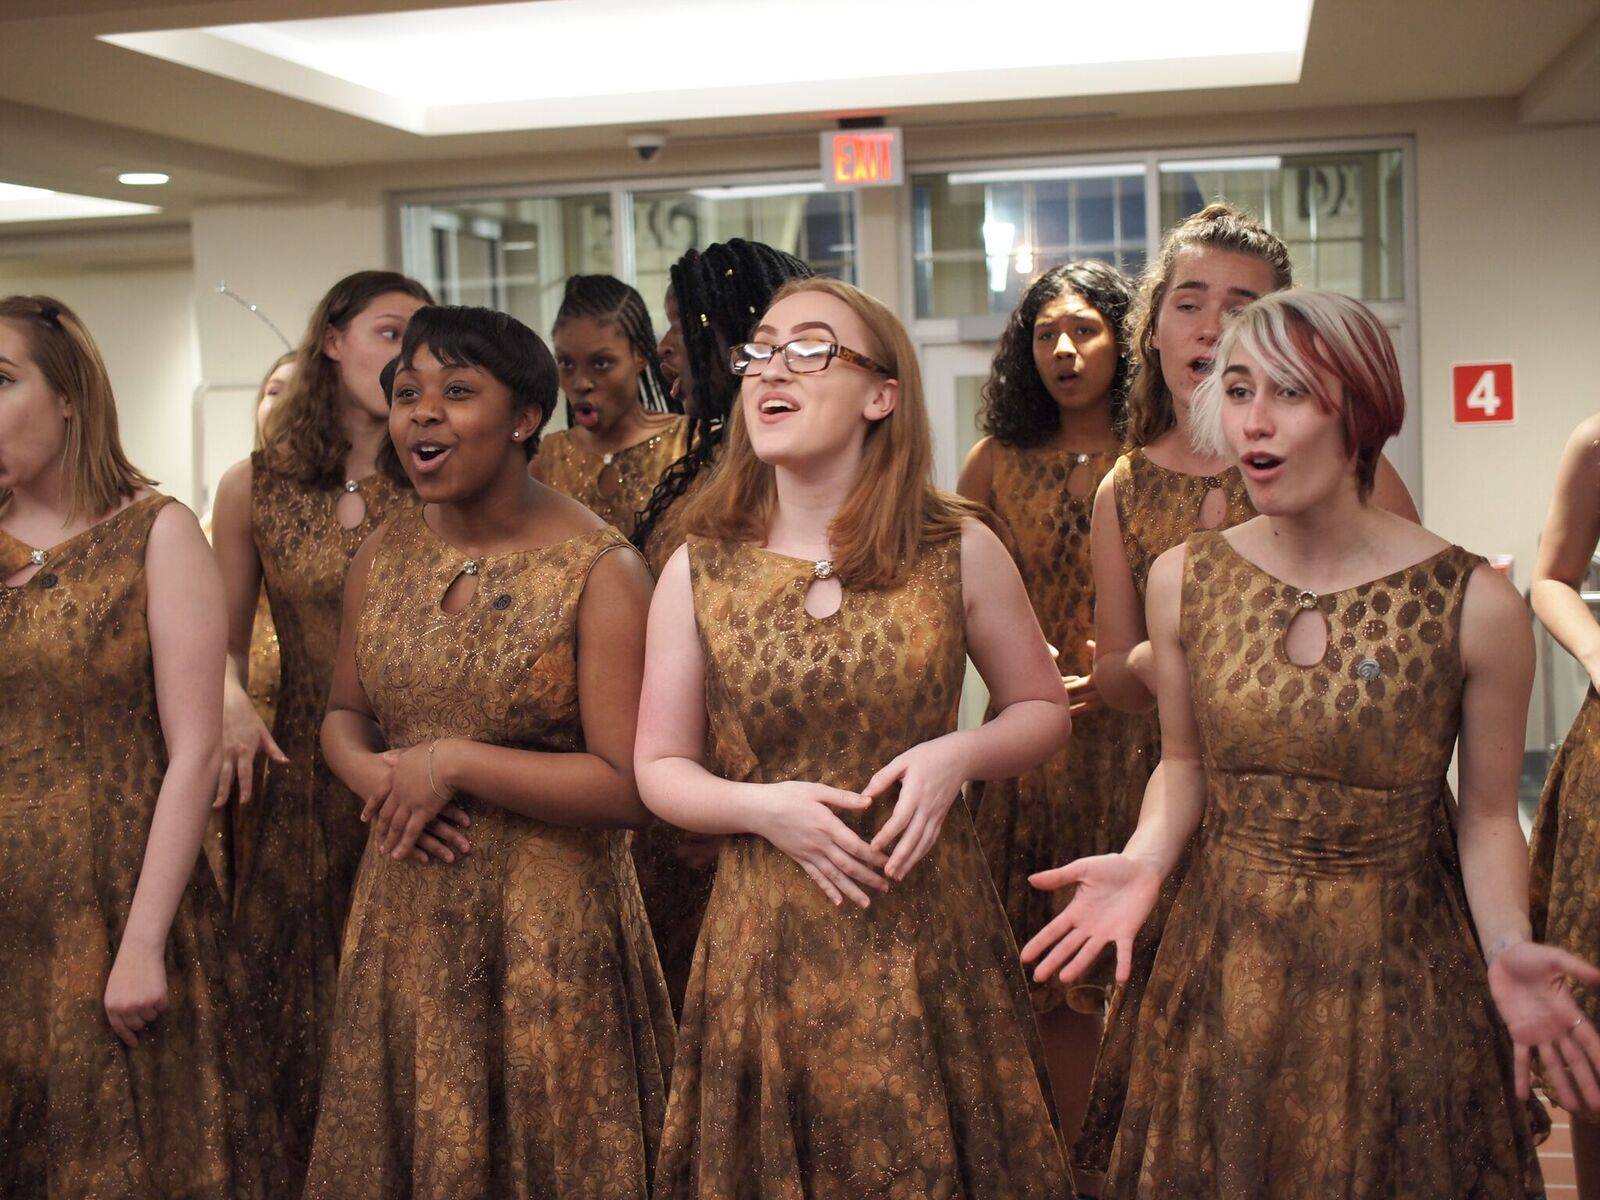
[502, 1030]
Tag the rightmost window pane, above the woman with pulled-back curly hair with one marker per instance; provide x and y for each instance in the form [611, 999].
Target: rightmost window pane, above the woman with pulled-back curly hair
[1342, 214]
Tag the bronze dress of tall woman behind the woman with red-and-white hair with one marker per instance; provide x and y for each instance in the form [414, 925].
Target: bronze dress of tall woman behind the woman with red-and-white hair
[1156, 510]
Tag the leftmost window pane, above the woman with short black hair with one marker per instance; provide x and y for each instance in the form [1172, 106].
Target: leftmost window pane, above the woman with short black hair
[511, 255]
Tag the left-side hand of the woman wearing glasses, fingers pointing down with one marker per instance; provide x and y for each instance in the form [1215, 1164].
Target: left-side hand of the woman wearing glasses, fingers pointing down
[801, 822]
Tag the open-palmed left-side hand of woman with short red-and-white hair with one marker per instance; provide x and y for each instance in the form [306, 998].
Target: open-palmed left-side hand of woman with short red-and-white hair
[1116, 895]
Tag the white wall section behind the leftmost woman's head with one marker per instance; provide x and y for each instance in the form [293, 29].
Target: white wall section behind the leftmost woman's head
[143, 321]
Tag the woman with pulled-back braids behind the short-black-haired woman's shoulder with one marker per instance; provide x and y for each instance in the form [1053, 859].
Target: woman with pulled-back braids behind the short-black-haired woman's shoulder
[620, 442]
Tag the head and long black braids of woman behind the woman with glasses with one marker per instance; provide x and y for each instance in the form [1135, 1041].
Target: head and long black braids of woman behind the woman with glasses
[713, 302]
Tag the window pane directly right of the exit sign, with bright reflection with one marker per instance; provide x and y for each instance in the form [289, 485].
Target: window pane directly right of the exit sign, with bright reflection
[982, 236]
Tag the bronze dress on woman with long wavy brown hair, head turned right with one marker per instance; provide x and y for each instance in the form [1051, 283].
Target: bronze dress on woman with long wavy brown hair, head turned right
[300, 842]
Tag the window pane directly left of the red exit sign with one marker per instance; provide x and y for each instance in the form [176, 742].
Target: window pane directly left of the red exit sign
[799, 218]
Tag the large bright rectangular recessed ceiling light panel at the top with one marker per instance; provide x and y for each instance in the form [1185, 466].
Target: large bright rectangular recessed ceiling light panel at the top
[466, 70]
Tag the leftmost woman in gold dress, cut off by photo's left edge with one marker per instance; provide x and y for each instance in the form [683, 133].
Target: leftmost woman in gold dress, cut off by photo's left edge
[122, 1071]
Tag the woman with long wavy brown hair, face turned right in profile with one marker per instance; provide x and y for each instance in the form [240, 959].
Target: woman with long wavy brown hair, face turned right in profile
[290, 518]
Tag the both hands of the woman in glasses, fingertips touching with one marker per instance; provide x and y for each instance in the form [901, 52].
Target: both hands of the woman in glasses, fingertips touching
[799, 820]
